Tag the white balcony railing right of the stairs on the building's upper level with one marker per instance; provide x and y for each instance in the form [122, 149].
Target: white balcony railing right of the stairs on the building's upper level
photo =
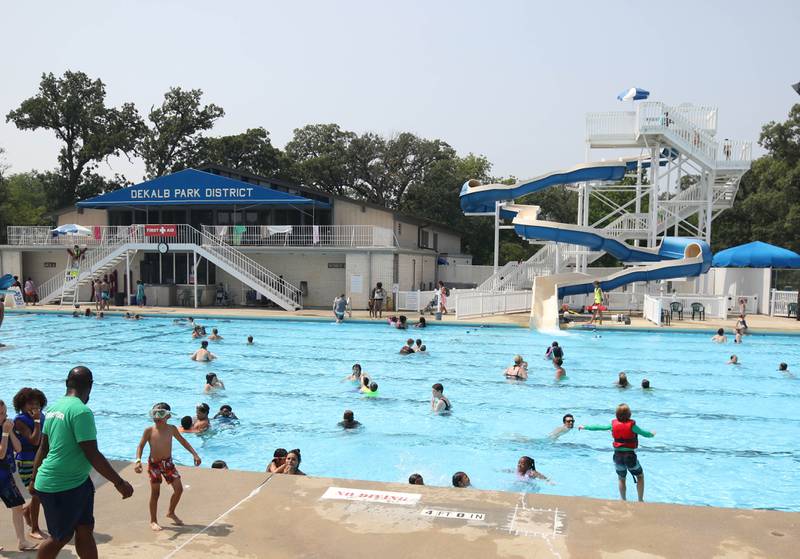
[303, 235]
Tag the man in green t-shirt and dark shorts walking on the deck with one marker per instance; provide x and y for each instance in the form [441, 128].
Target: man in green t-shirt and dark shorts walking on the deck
[61, 470]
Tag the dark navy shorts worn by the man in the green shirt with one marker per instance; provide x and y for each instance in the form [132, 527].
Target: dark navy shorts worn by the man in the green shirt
[66, 510]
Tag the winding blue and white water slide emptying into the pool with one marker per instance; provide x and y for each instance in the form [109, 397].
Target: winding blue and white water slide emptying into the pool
[675, 257]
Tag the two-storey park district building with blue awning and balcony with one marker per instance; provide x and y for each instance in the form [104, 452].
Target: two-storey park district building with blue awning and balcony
[320, 245]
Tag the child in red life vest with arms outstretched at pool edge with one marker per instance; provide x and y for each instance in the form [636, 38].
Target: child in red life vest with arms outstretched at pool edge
[626, 440]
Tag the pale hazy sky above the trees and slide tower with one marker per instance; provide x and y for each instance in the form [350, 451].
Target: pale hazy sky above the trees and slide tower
[511, 80]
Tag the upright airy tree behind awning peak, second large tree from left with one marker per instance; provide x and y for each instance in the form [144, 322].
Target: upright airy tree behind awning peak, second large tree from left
[176, 129]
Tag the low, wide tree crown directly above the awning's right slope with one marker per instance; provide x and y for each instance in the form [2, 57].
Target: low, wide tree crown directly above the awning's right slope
[250, 151]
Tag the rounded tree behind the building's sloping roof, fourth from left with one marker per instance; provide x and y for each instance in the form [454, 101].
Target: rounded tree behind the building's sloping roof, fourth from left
[319, 155]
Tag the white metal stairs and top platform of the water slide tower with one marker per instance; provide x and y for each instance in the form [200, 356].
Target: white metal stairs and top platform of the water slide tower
[688, 130]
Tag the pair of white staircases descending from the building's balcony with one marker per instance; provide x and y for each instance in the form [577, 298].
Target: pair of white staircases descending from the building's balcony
[118, 242]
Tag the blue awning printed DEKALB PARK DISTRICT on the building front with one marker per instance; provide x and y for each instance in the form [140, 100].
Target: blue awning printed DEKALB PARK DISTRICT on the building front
[191, 187]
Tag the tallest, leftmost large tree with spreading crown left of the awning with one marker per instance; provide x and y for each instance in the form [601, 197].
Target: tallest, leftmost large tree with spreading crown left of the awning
[73, 106]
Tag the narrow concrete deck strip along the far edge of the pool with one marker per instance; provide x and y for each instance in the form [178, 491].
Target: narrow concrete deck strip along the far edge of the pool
[757, 323]
